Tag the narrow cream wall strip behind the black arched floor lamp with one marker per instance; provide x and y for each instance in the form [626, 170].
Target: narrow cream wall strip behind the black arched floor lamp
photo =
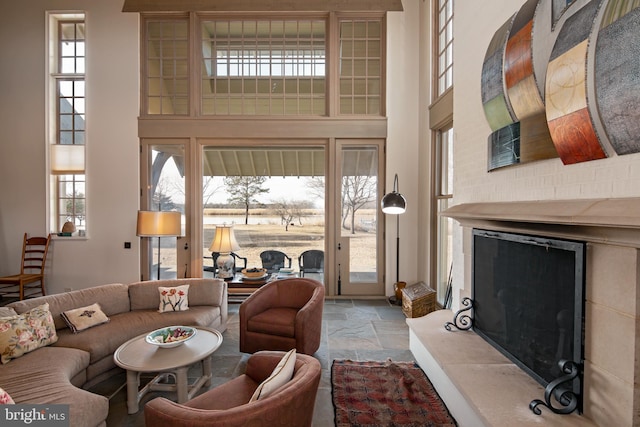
[403, 111]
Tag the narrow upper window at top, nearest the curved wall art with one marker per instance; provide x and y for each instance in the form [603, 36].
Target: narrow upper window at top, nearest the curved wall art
[444, 37]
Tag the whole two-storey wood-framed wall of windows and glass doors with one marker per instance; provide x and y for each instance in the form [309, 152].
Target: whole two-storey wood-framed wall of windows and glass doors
[230, 84]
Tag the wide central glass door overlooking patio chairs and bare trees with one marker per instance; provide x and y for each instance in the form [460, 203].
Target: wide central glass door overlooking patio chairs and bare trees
[273, 196]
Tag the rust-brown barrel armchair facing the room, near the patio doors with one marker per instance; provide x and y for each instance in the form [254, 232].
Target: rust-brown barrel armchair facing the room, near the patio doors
[282, 315]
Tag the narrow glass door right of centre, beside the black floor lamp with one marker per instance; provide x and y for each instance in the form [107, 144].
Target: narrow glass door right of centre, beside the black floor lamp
[359, 238]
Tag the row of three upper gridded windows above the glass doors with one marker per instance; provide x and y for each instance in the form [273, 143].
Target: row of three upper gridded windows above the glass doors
[264, 66]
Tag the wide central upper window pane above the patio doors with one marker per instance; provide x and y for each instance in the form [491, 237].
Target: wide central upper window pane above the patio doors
[263, 67]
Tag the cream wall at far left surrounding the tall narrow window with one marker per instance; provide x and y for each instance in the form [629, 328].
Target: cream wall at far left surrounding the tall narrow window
[112, 146]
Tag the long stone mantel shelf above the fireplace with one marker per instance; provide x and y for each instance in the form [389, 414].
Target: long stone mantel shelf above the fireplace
[614, 221]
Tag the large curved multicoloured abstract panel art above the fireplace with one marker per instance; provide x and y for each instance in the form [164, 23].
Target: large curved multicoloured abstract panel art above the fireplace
[571, 83]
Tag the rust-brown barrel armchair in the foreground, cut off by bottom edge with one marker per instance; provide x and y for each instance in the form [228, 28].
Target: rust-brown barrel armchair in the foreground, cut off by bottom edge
[227, 405]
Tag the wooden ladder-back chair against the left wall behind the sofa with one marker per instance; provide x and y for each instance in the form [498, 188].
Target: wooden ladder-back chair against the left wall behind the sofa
[30, 281]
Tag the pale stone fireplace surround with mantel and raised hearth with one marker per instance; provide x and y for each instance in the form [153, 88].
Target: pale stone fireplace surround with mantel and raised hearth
[481, 386]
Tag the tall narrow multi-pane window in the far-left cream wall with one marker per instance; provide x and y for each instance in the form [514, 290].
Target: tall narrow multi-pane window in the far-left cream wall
[68, 132]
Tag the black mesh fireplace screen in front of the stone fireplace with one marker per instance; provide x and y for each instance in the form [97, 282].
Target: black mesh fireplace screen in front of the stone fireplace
[528, 299]
